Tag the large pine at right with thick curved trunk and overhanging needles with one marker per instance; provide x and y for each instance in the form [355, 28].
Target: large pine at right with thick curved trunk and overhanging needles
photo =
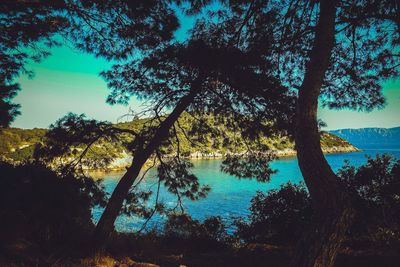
[338, 52]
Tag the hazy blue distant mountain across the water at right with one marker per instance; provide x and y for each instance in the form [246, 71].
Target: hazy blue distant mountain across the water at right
[370, 136]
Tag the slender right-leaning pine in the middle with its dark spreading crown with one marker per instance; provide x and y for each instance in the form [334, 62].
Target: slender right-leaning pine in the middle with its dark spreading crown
[189, 75]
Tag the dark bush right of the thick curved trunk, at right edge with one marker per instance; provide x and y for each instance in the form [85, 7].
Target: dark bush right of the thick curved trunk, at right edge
[378, 187]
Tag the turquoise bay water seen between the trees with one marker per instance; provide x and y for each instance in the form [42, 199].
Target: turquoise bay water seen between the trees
[230, 197]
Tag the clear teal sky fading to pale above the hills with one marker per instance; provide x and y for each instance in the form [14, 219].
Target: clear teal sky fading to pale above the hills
[69, 81]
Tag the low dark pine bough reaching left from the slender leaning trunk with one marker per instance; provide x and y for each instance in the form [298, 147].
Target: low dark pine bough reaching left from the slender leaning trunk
[71, 138]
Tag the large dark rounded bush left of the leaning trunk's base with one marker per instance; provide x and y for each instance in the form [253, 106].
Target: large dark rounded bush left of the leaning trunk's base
[43, 207]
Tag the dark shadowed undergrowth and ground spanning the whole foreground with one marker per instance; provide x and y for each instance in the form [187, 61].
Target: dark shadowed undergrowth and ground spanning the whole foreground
[51, 223]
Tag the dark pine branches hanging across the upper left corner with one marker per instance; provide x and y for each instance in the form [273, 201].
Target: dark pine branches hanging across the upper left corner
[111, 29]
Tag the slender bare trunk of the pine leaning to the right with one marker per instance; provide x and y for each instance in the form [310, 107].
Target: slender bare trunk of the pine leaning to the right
[105, 226]
